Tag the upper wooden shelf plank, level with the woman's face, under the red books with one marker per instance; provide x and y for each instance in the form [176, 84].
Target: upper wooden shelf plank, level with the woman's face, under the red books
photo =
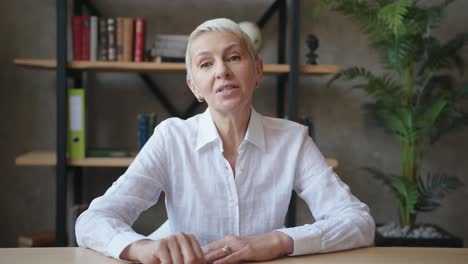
[162, 67]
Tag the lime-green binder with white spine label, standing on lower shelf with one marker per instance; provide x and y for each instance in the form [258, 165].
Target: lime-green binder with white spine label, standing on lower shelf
[76, 124]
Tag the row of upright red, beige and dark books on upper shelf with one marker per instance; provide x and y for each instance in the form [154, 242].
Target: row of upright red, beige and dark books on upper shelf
[108, 39]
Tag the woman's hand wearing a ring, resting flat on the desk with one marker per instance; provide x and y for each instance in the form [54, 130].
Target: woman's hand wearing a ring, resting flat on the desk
[234, 249]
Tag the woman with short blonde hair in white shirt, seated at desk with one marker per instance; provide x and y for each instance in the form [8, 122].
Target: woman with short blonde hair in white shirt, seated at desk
[227, 174]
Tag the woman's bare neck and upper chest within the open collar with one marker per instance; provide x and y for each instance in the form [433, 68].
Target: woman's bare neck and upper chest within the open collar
[232, 128]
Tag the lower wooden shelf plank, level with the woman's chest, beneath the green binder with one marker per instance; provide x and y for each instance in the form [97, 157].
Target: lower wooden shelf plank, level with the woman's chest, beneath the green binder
[48, 158]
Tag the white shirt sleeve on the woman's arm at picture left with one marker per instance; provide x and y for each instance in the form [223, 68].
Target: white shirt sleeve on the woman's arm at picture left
[106, 225]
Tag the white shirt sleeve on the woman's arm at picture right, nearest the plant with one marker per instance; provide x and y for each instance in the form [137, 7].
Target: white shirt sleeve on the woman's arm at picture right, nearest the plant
[342, 221]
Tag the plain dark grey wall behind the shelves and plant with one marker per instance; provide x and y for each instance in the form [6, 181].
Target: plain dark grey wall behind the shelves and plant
[27, 105]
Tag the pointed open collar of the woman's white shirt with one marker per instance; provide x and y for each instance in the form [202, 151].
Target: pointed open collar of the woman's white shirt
[207, 131]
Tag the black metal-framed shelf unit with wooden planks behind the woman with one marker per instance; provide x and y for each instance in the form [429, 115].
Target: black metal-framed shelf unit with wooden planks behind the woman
[68, 69]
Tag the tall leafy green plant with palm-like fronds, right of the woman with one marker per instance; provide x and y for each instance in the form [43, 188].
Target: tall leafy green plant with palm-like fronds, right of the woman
[416, 99]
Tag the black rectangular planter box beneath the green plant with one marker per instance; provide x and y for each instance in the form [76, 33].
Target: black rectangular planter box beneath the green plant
[448, 240]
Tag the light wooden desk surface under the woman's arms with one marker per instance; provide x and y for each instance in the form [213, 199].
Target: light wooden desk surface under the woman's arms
[377, 255]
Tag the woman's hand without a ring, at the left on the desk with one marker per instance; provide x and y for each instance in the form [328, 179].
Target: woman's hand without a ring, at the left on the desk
[178, 248]
